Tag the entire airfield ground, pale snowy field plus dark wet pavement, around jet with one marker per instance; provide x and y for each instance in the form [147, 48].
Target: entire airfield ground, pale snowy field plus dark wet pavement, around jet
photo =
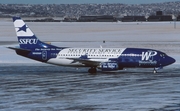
[33, 86]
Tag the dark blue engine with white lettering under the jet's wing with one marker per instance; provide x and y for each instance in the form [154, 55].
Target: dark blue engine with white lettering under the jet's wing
[108, 66]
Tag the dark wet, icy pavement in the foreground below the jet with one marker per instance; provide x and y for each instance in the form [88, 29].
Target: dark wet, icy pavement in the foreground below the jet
[35, 87]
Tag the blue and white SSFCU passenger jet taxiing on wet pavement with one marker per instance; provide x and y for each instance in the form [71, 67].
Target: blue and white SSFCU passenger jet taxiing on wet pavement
[103, 59]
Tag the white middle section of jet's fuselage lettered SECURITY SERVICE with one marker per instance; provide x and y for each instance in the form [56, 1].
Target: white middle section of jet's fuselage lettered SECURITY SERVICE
[94, 54]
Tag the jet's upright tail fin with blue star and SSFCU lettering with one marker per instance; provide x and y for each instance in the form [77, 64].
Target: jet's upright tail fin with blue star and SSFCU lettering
[26, 38]
